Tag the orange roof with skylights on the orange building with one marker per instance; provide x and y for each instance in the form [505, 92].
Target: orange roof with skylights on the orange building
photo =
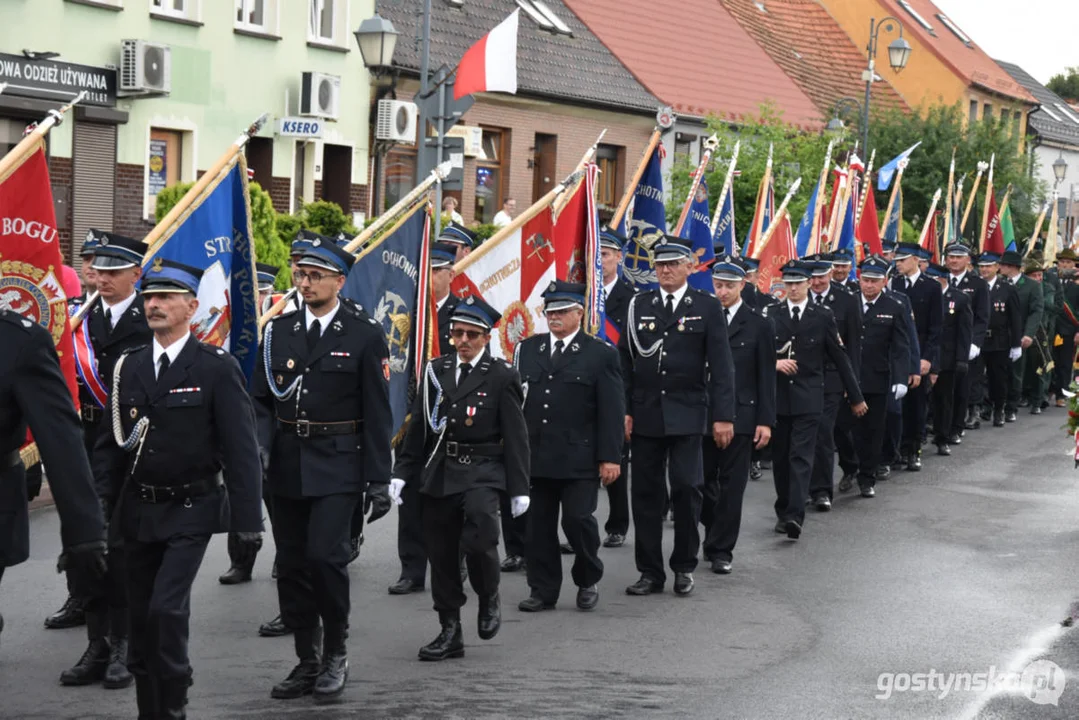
[966, 60]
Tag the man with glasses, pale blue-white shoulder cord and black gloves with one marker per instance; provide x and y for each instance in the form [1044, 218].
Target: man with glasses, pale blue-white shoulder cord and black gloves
[323, 404]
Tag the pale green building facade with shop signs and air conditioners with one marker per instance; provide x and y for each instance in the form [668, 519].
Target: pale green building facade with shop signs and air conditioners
[171, 85]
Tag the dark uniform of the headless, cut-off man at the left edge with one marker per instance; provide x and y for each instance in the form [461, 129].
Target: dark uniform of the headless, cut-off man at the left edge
[33, 392]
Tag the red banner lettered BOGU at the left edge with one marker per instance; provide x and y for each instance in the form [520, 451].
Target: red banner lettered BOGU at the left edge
[31, 261]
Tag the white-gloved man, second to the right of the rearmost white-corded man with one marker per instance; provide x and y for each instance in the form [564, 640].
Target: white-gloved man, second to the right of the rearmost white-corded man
[885, 371]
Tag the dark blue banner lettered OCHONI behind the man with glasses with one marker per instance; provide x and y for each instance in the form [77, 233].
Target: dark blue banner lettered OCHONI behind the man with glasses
[390, 281]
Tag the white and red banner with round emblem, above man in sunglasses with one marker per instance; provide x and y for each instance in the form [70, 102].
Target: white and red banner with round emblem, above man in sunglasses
[512, 278]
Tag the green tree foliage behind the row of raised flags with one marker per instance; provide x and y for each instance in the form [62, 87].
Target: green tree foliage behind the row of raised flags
[801, 155]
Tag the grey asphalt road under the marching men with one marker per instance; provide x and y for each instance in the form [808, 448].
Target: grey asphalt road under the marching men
[897, 607]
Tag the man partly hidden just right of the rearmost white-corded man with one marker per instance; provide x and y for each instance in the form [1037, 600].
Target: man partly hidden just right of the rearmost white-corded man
[836, 418]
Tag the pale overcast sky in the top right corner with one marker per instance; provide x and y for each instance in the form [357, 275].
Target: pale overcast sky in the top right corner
[1040, 36]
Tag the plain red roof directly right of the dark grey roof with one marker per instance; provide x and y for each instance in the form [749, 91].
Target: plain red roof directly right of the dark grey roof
[693, 56]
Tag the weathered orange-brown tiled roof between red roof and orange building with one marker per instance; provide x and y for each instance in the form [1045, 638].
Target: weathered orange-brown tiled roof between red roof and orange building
[813, 49]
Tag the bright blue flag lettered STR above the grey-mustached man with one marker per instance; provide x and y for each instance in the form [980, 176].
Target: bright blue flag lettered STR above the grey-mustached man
[215, 237]
